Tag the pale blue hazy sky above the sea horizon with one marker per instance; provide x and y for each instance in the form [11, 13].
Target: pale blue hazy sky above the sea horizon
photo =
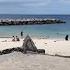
[34, 6]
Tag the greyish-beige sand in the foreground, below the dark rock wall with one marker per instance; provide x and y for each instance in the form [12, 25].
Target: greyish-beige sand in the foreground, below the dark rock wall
[19, 61]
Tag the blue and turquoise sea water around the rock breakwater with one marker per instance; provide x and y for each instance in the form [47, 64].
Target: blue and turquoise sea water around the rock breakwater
[50, 31]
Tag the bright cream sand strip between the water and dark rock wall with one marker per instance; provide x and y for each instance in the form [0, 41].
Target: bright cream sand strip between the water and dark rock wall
[51, 46]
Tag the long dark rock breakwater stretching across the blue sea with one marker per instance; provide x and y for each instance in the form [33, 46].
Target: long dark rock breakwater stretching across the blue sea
[29, 21]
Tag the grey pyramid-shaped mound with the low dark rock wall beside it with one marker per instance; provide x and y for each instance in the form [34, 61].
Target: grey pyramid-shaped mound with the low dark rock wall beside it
[27, 47]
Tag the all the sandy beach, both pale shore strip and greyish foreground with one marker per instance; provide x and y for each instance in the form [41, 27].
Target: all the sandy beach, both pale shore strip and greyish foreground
[20, 61]
